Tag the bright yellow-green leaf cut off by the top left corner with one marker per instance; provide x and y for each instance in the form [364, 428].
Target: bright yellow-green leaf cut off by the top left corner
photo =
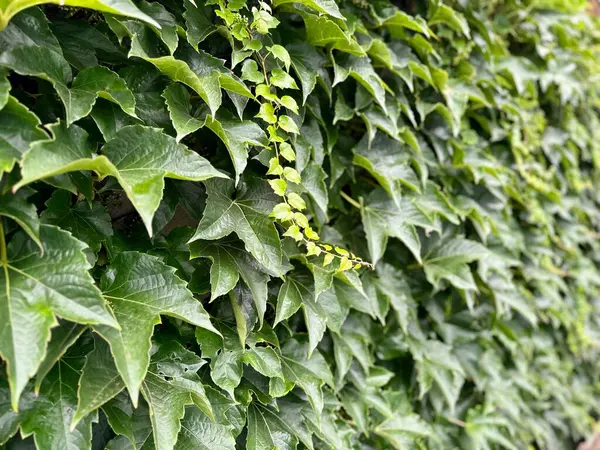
[119, 7]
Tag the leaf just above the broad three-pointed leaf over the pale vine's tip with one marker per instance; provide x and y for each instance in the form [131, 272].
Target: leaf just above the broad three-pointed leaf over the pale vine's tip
[387, 163]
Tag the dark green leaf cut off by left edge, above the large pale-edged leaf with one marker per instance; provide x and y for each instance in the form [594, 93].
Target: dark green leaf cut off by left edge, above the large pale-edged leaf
[20, 128]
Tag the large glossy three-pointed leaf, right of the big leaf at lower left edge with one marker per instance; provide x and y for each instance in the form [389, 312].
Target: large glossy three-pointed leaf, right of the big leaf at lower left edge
[138, 308]
